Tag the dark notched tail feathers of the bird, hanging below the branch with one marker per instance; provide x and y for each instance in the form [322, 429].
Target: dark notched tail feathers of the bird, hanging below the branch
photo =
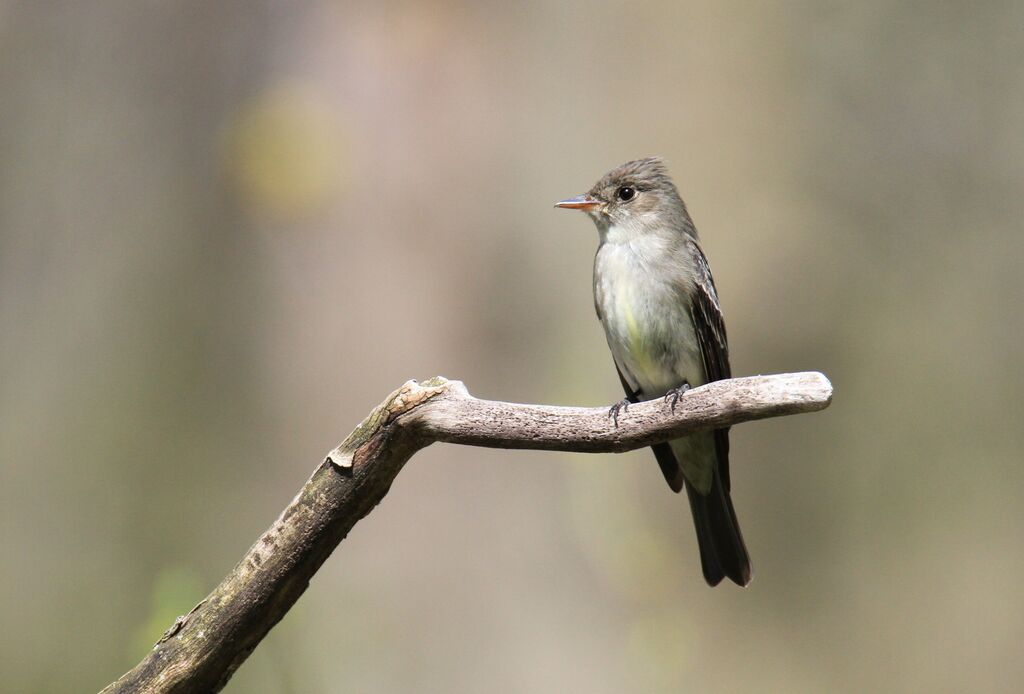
[722, 550]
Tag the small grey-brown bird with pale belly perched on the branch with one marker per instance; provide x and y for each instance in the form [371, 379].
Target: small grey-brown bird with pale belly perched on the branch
[657, 300]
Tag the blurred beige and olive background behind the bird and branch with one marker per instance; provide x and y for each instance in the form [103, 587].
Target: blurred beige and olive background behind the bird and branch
[228, 231]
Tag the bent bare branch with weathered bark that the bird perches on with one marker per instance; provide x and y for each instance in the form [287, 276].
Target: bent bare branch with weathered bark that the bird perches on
[202, 649]
